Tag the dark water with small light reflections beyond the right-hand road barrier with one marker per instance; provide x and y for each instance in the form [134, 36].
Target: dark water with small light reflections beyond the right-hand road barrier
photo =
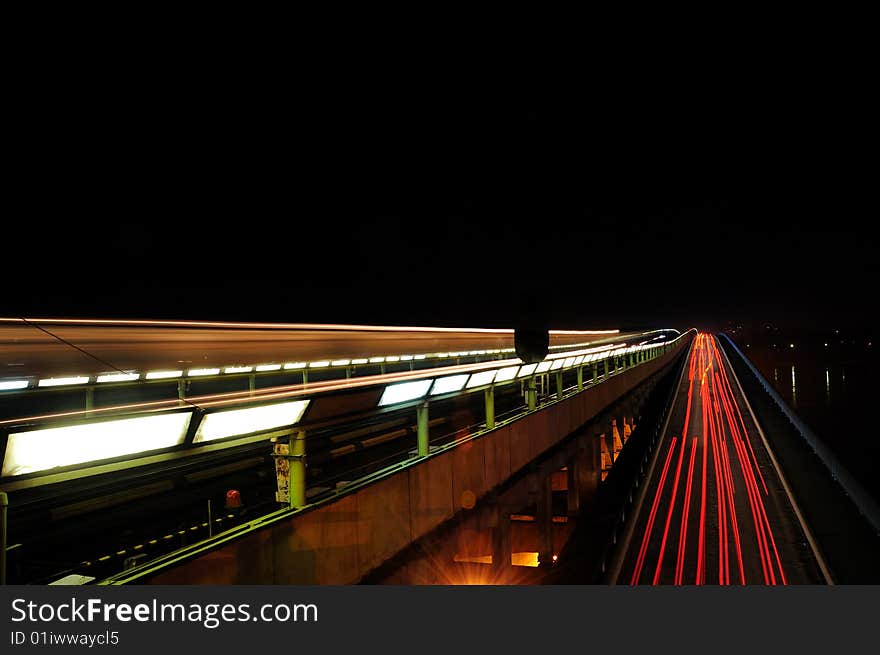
[829, 379]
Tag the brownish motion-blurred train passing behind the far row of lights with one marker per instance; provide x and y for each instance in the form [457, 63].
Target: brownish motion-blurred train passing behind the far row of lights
[59, 347]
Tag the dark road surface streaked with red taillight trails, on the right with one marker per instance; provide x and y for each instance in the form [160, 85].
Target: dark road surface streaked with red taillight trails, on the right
[714, 510]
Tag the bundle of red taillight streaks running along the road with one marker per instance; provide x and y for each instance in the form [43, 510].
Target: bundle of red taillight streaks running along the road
[738, 524]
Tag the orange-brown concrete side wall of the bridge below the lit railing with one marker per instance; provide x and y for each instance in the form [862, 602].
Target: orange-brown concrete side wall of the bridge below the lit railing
[341, 541]
